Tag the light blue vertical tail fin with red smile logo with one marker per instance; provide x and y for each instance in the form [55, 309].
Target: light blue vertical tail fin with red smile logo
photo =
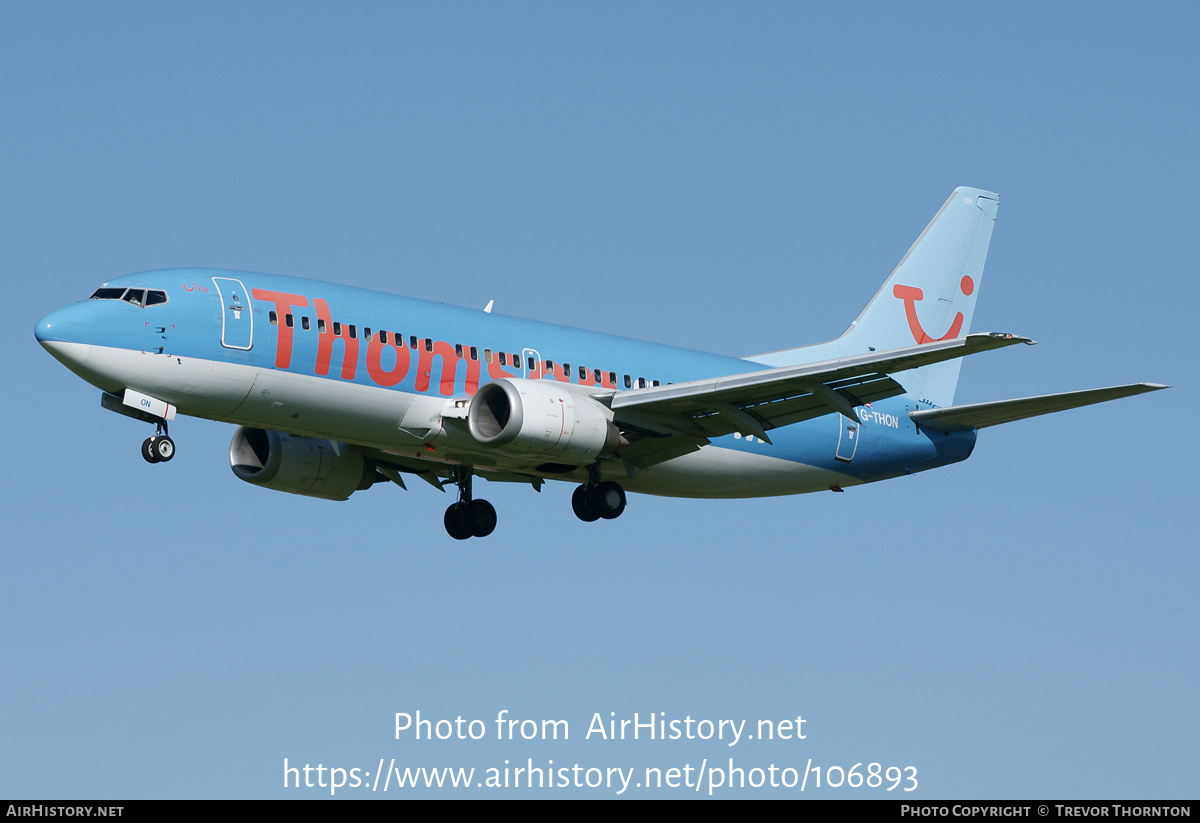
[931, 296]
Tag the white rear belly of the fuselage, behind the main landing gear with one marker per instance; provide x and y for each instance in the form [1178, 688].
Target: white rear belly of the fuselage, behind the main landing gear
[725, 473]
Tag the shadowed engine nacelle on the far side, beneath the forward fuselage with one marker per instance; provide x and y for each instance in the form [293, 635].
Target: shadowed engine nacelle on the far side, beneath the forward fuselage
[299, 465]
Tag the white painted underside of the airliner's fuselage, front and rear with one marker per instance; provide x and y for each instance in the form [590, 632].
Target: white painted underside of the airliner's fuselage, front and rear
[405, 424]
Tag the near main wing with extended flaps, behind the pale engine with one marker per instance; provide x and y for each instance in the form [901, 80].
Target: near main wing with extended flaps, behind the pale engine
[759, 401]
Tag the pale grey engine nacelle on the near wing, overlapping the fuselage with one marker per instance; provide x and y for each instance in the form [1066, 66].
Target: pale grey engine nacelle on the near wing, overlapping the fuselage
[538, 418]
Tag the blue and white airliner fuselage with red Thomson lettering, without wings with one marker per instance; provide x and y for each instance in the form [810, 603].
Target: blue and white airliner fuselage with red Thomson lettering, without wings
[225, 345]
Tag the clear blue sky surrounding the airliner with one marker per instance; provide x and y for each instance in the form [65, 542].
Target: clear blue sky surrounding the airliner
[729, 178]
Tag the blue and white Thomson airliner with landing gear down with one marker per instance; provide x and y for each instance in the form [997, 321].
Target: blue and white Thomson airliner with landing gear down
[335, 389]
